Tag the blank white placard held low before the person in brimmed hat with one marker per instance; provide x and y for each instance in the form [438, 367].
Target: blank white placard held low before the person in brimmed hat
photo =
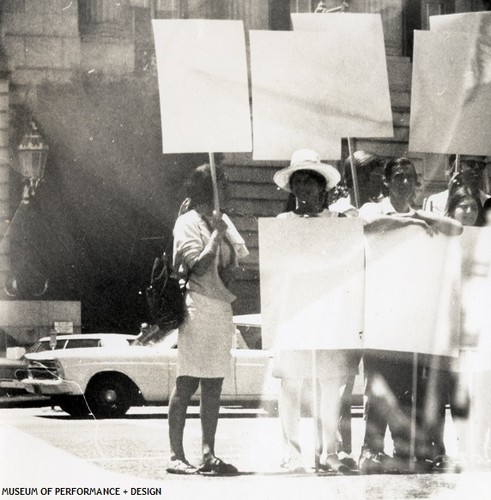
[311, 274]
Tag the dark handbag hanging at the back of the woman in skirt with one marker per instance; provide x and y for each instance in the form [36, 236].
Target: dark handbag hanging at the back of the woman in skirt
[166, 295]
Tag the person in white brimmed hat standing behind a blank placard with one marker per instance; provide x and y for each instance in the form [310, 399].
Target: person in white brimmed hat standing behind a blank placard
[309, 179]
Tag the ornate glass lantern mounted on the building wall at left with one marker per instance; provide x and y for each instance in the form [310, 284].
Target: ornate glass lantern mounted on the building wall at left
[32, 154]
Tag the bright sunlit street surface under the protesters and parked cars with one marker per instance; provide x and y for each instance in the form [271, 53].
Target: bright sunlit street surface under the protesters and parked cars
[44, 447]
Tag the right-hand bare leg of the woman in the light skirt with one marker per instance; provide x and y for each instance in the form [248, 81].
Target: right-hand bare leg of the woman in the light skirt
[211, 389]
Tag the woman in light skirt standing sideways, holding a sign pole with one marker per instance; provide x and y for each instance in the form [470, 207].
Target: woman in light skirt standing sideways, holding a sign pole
[207, 247]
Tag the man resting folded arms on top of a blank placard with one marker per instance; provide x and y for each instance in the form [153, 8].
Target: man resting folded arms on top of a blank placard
[389, 375]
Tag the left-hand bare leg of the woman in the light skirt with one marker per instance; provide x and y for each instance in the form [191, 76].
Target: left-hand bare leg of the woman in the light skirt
[179, 401]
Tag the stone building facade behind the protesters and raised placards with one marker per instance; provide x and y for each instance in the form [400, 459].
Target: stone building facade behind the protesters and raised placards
[100, 54]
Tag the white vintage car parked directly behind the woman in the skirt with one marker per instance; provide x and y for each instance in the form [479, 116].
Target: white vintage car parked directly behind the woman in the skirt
[108, 380]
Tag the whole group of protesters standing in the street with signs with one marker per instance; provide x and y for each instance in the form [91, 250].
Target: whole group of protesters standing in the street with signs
[207, 247]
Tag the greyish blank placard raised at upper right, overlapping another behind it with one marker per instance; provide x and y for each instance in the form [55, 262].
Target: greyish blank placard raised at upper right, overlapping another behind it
[445, 117]
